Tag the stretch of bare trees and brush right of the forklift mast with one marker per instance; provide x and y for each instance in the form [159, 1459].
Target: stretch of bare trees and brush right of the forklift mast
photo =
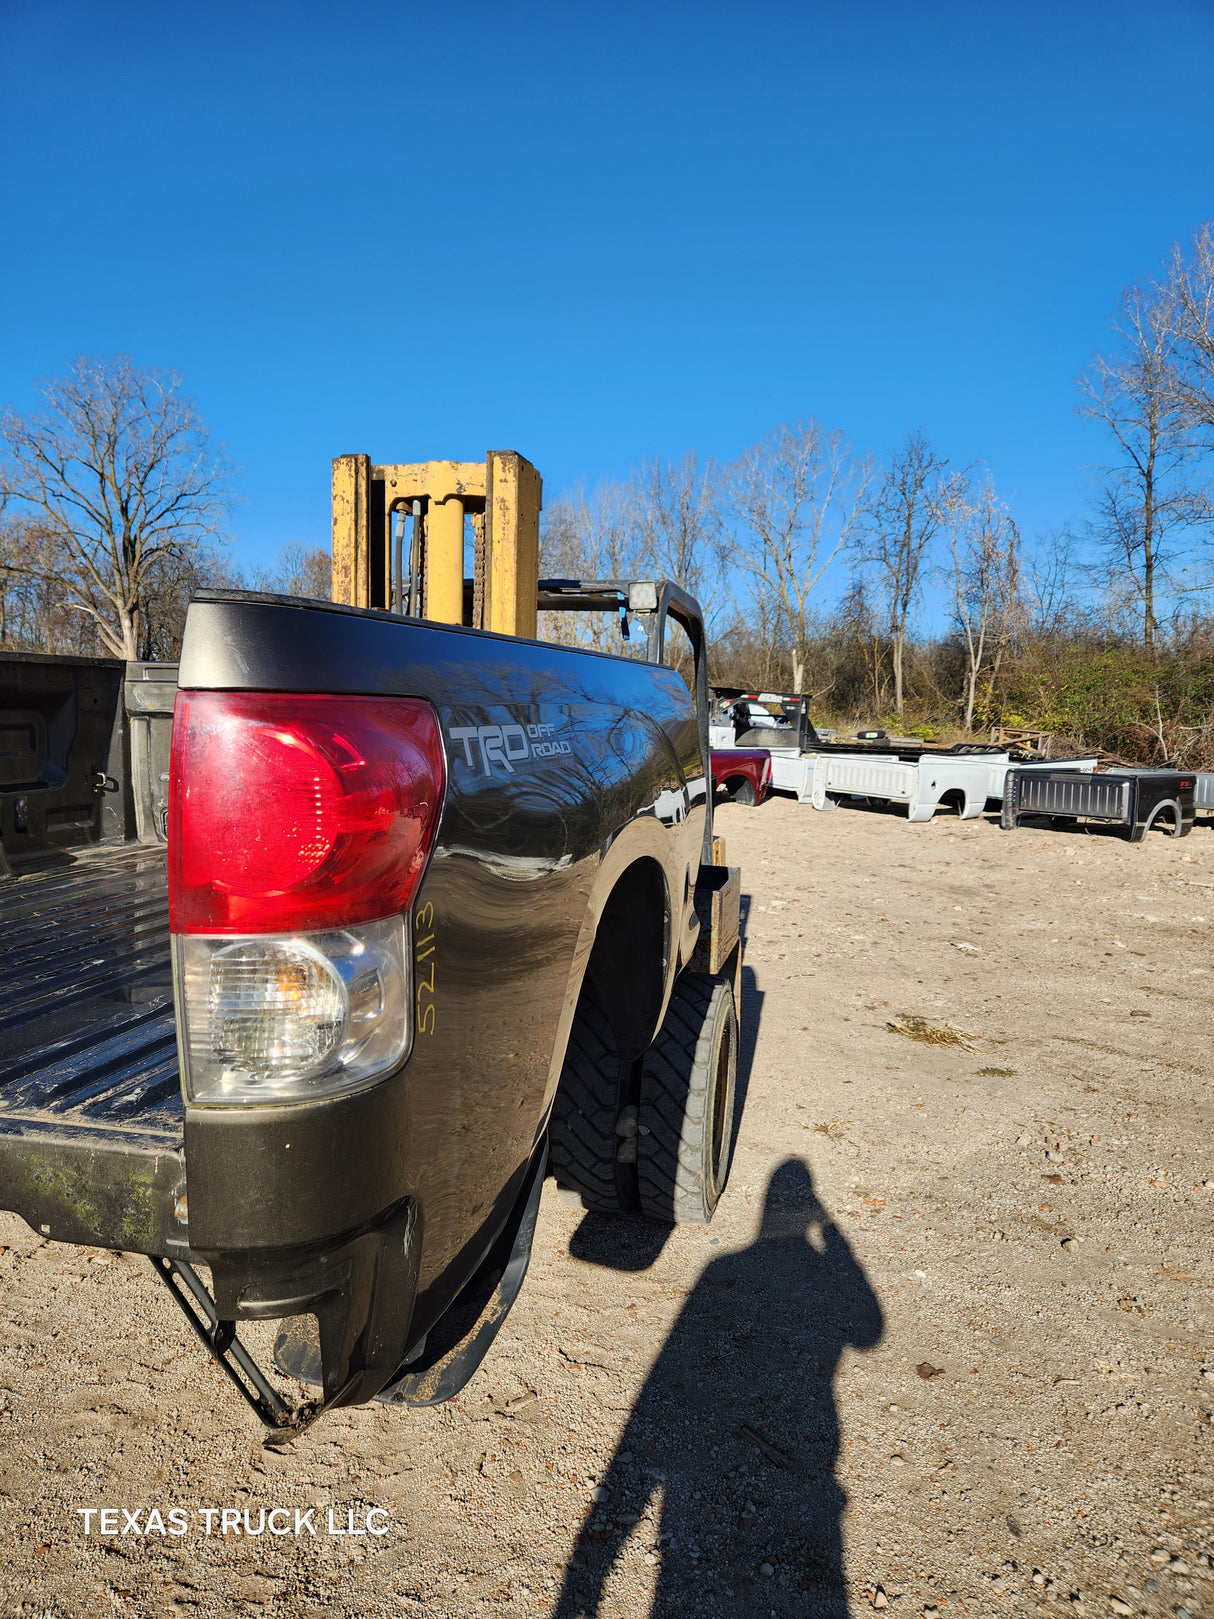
[1097, 632]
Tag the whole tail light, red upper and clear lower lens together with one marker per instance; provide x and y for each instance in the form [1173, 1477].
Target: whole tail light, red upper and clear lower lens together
[299, 833]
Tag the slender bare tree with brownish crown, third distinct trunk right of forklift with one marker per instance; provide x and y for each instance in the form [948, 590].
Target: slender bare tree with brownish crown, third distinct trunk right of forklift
[983, 543]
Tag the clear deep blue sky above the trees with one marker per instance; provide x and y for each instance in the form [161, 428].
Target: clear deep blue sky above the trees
[596, 234]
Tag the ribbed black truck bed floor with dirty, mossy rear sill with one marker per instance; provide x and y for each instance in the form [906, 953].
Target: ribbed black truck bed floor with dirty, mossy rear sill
[91, 1116]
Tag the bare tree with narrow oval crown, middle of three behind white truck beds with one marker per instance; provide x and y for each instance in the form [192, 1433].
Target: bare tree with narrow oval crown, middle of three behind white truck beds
[904, 521]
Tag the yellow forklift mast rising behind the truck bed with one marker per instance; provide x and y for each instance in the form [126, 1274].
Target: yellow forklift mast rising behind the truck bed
[399, 540]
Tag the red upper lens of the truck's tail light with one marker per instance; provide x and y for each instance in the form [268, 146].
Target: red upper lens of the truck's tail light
[294, 814]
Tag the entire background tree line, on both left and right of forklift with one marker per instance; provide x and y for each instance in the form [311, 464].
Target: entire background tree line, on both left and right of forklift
[813, 559]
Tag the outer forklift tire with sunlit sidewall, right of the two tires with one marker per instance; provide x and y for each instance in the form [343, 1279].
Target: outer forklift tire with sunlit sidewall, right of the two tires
[689, 1084]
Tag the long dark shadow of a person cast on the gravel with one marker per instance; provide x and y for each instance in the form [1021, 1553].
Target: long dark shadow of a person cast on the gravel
[726, 1471]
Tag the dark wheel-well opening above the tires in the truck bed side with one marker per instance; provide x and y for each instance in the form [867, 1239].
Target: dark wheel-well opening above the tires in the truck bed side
[627, 967]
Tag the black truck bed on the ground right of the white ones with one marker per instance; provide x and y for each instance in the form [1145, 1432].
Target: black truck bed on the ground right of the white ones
[1129, 797]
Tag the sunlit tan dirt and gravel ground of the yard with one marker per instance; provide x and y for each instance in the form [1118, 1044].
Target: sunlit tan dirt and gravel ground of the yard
[944, 1349]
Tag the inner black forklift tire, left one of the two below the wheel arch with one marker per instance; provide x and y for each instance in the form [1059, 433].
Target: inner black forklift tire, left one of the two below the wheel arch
[593, 1092]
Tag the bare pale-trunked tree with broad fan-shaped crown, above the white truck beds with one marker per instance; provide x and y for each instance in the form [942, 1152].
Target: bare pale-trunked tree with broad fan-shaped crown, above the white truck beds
[797, 499]
